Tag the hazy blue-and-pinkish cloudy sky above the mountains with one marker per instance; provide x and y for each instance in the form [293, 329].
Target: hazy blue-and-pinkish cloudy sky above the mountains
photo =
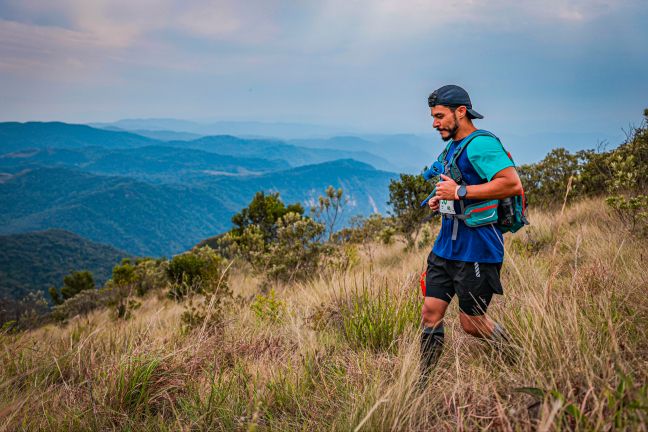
[531, 67]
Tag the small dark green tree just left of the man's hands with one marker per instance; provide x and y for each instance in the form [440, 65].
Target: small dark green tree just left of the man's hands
[405, 197]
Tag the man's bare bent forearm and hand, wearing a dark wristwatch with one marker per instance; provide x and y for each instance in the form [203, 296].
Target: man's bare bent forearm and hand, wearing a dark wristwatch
[505, 183]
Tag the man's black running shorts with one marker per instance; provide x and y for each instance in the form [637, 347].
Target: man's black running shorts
[474, 283]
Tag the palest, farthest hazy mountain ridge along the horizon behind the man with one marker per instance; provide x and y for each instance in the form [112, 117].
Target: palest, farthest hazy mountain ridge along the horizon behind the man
[406, 152]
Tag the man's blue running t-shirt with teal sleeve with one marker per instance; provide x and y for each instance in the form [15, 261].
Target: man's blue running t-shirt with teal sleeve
[479, 163]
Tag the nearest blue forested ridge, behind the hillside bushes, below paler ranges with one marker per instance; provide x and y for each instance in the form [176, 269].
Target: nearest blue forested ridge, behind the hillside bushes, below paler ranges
[165, 219]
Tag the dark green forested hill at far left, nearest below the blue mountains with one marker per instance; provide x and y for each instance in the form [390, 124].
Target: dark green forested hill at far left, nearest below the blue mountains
[38, 260]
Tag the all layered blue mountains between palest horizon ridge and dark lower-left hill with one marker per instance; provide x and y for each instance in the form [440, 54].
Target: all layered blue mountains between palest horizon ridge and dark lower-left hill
[150, 197]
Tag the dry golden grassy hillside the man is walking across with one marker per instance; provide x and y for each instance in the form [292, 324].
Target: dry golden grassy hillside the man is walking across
[341, 352]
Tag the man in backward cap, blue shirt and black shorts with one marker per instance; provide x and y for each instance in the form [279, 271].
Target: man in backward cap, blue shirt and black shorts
[464, 261]
